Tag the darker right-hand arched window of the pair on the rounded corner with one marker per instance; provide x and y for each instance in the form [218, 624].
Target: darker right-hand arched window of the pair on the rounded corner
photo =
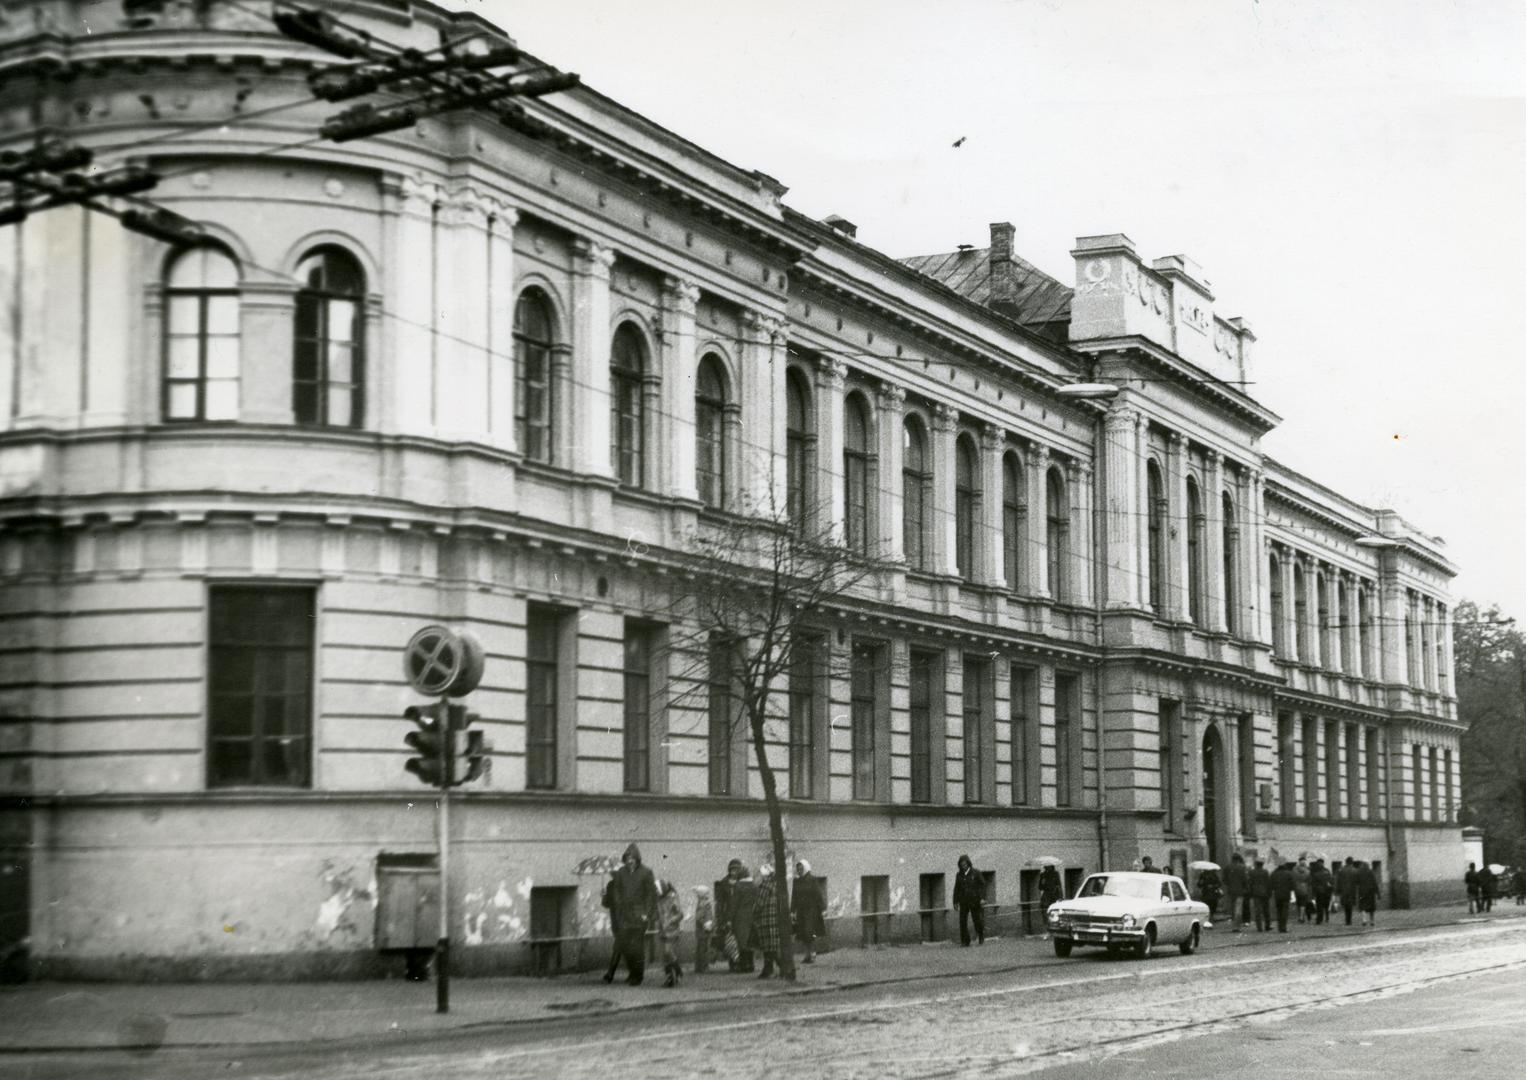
[329, 365]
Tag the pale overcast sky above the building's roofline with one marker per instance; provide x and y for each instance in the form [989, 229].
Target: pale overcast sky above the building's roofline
[1350, 175]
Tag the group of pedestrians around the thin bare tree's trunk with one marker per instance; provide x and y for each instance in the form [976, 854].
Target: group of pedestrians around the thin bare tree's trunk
[736, 921]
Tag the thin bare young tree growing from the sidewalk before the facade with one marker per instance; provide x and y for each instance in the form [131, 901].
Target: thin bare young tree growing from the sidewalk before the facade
[755, 599]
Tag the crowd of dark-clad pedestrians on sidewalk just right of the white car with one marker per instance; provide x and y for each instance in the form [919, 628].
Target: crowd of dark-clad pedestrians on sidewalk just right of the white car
[1305, 890]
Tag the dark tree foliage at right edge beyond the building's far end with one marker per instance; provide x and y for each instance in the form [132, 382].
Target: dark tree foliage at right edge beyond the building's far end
[1492, 702]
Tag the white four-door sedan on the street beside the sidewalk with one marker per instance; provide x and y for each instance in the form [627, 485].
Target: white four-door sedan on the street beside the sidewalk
[1128, 911]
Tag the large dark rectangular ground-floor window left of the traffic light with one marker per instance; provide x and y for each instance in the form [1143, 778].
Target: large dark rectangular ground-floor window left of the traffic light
[260, 687]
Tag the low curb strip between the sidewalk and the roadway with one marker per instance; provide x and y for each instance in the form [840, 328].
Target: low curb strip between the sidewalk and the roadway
[774, 989]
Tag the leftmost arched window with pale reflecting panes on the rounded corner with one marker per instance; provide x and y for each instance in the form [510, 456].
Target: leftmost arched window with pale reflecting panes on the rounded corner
[202, 336]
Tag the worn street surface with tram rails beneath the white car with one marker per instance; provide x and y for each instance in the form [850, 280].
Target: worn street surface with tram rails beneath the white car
[1426, 1003]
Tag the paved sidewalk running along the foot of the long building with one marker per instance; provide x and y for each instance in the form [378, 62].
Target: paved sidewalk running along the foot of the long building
[57, 1017]
